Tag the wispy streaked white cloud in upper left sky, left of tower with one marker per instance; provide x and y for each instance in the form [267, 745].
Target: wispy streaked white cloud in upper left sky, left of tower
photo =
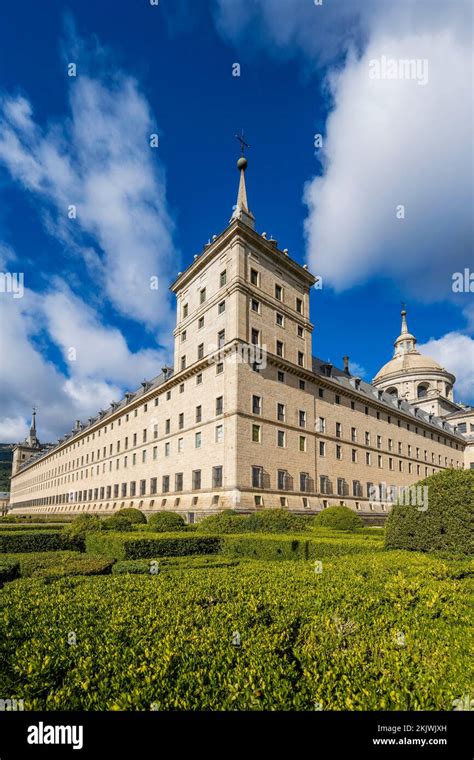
[100, 161]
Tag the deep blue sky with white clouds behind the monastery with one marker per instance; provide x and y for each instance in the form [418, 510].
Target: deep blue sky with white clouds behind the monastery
[167, 69]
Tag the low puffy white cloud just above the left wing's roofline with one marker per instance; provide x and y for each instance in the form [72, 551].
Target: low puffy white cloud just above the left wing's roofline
[103, 369]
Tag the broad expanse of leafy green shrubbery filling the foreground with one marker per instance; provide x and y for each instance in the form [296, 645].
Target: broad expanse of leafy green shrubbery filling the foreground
[308, 639]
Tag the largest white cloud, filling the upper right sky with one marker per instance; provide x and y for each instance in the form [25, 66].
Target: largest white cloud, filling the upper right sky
[386, 142]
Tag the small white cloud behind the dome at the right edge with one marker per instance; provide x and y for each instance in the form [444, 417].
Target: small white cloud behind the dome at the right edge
[455, 351]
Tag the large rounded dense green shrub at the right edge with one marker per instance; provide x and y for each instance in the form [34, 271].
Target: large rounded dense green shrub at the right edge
[447, 523]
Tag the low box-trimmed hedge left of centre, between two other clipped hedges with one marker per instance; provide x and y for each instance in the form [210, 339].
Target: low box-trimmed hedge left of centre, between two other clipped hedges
[138, 546]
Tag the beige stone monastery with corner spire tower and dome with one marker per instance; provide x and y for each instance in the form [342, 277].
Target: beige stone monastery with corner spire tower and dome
[248, 418]
